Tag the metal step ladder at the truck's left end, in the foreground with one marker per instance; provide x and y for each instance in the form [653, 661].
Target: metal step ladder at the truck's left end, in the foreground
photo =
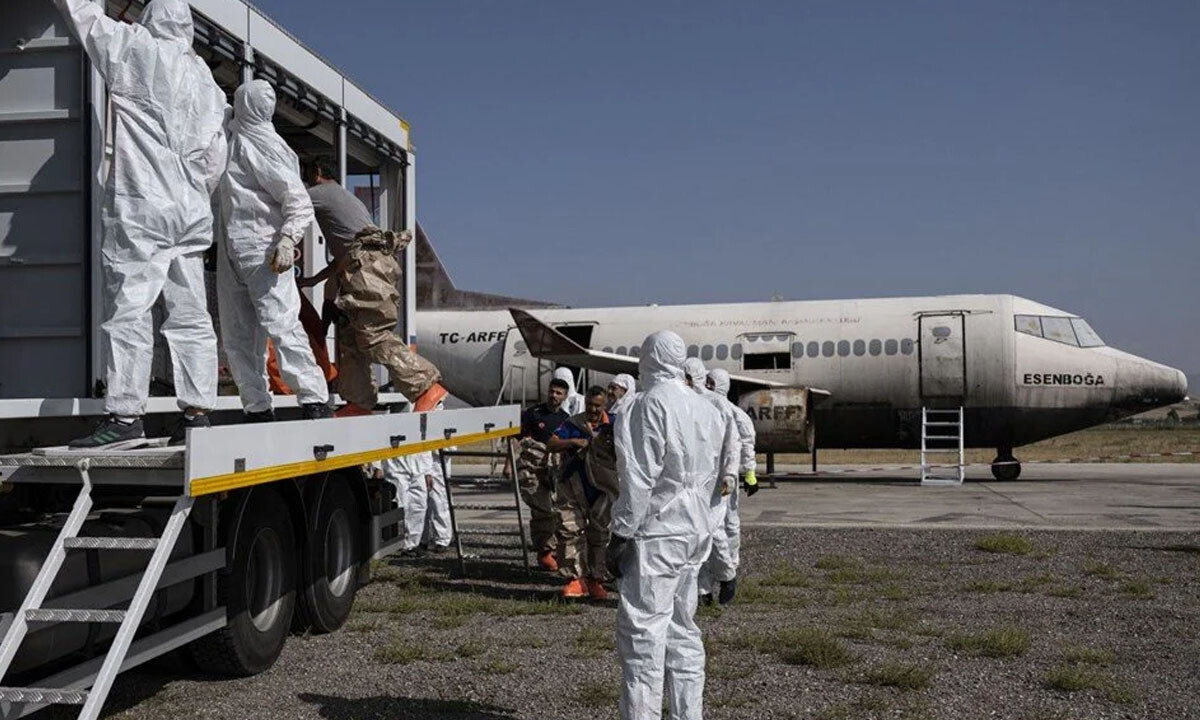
[32, 610]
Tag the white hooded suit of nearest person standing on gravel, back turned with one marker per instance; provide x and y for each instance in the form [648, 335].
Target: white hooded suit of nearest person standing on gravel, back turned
[668, 458]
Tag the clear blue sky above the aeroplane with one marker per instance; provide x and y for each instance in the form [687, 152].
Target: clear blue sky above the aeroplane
[689, 152]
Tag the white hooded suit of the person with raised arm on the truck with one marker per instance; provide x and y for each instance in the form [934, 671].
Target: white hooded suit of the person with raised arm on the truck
[169, 152]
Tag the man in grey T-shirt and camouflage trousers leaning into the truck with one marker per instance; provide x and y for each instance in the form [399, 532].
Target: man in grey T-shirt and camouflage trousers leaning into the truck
[363, 286]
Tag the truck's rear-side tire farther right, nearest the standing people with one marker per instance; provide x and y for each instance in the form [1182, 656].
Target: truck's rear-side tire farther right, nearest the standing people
[331, 567]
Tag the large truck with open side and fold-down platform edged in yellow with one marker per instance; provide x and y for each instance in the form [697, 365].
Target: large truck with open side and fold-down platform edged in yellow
[221, 548]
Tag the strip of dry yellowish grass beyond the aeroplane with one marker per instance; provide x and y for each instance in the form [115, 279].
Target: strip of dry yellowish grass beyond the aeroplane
[1101, 442]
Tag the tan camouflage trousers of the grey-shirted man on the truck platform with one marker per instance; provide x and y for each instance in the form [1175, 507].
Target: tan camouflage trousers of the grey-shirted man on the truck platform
[369, 310]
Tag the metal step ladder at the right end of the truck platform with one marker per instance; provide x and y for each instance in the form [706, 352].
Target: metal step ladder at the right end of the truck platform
[471, 543]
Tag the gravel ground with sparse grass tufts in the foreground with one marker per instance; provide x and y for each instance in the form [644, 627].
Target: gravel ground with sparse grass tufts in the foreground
[832, 625]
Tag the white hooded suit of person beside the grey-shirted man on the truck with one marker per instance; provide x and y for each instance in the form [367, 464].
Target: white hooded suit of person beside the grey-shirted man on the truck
[263, 205]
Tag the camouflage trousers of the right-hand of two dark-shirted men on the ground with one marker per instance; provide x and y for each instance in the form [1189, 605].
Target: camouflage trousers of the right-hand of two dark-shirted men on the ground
[583, 531]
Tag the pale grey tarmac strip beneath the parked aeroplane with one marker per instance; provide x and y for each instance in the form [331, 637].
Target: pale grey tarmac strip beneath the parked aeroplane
[1093, 497]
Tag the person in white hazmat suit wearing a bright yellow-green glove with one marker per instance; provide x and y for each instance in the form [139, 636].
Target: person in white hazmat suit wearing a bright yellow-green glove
[719, 574]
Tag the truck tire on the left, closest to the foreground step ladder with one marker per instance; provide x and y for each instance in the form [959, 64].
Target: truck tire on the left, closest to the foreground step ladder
[257, 590]
